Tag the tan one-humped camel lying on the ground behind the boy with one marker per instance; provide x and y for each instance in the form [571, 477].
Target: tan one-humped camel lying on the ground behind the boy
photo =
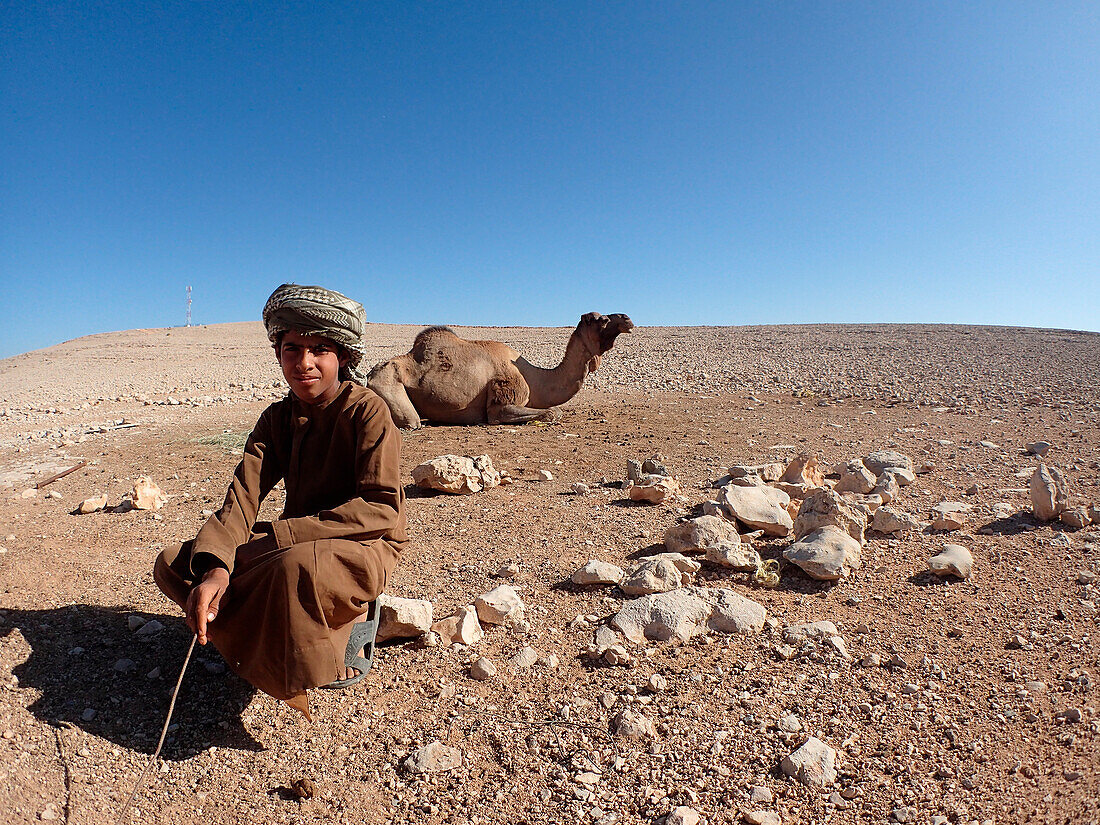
[448, 380]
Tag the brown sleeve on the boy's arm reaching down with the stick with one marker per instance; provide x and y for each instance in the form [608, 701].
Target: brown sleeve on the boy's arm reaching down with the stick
[232, 526]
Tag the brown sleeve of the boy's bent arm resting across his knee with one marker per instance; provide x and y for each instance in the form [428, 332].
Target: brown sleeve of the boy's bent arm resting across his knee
[379, 509]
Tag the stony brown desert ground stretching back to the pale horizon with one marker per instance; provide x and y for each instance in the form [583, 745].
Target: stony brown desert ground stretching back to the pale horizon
[948, 700]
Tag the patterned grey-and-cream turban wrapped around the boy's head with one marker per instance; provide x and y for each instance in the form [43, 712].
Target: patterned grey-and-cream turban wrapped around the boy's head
[314, 311]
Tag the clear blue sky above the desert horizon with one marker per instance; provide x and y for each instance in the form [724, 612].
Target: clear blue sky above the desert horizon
[522, 163]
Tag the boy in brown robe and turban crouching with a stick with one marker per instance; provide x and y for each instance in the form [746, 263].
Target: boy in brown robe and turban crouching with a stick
[289, 603]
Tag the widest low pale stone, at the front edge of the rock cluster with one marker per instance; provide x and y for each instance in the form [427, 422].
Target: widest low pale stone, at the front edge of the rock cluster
[684, 613]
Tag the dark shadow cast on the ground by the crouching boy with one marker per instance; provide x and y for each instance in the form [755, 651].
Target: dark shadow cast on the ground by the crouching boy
[94, 674]
